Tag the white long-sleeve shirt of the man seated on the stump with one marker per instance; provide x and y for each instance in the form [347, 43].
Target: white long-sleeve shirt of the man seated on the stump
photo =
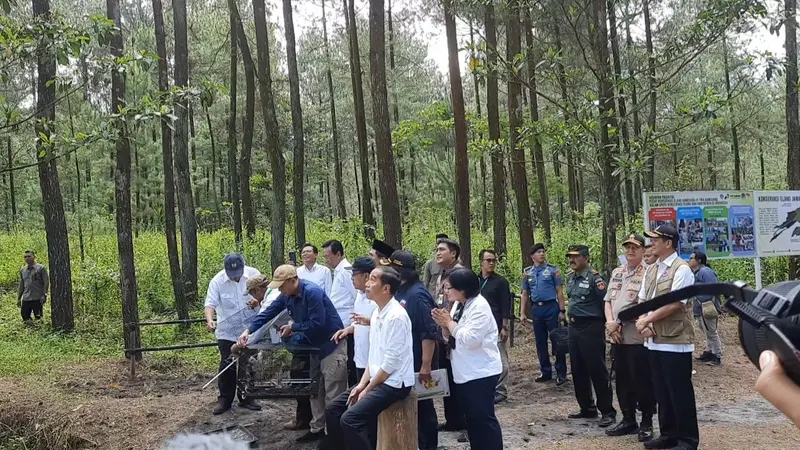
[391, 346]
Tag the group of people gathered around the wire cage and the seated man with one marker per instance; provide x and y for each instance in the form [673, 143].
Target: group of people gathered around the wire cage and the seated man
[376, 324]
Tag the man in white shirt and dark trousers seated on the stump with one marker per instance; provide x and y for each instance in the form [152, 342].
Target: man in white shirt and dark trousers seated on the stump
[388, 378]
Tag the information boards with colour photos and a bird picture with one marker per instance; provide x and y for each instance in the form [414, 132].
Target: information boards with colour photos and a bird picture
[728, 224]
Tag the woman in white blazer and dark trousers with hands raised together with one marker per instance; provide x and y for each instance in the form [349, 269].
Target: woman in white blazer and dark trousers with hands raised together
[472, 334]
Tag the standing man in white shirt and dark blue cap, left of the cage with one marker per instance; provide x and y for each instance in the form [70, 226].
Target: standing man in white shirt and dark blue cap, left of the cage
[227, 297]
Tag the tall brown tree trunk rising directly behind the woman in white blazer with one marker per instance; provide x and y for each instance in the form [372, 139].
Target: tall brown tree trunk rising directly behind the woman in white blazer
[463, 218]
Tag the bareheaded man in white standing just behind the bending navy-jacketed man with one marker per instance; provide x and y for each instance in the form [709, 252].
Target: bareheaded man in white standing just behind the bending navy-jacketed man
[343, 297]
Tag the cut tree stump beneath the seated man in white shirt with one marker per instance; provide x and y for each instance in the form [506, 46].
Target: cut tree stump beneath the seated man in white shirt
[397, 425]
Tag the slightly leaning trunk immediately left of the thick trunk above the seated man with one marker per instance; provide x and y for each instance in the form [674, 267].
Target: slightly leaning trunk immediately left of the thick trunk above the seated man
[367, 215]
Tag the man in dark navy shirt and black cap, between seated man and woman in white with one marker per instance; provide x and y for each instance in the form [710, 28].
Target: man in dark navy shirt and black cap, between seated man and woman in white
[417, 301]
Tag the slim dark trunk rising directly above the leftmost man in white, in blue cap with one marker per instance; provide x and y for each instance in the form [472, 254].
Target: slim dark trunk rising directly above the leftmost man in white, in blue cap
[233, 178]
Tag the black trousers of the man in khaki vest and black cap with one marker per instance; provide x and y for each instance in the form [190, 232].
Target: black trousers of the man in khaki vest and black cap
[677, 411]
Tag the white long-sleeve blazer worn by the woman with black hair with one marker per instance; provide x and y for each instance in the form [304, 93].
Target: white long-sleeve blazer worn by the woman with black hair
[476, 354]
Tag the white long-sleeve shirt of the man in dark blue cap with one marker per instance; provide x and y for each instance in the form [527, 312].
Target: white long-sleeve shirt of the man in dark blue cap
[229, 300]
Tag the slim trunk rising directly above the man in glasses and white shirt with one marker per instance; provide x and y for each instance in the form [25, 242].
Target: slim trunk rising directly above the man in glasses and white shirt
[298, 160]
